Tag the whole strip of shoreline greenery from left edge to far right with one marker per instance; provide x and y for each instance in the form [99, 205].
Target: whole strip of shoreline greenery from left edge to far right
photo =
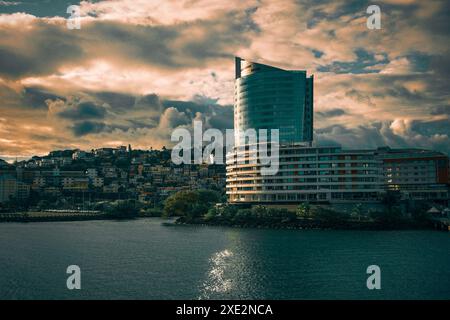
[200, 207]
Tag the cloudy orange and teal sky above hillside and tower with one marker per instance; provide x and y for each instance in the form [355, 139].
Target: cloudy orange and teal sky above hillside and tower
[136, 70]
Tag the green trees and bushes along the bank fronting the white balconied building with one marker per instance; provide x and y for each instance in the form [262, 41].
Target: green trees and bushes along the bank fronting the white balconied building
[198, 208]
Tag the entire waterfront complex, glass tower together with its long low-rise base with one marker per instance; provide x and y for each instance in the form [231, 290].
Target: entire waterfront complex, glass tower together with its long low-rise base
[271, 98]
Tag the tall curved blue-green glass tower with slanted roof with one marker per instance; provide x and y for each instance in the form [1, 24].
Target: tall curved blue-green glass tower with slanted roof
[271, 98]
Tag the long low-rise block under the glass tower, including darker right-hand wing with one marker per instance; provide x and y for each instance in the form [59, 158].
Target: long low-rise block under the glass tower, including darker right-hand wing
[332, 175]
